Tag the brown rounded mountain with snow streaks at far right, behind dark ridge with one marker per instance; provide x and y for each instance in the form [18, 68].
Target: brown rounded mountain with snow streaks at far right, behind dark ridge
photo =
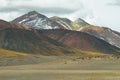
[103, 33]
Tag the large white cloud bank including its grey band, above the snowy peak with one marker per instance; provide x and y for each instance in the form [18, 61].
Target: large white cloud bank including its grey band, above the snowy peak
[47, 7]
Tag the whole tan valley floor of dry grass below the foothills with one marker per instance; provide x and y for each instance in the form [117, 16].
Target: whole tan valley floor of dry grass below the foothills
[65, 69]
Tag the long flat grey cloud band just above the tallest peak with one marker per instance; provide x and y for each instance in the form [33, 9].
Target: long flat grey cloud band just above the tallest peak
[24, 9]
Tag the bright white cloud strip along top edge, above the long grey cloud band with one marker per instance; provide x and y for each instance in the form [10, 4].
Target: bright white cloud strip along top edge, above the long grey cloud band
[46, 3]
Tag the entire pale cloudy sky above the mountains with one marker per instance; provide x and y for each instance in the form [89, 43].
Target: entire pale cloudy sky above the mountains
[97, 12]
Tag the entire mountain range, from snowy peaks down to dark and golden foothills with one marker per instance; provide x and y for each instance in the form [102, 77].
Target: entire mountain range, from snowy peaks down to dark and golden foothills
[36, 34]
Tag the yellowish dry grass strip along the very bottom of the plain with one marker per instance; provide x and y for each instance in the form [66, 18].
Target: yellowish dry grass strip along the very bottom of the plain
[59, 75]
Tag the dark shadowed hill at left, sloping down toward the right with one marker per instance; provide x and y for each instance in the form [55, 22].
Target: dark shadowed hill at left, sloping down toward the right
[29, 41]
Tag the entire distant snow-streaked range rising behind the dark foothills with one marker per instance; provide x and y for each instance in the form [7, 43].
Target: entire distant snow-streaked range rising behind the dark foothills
[36, 20]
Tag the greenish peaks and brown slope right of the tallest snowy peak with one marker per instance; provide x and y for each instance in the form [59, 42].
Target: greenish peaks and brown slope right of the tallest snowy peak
[106, 34]
